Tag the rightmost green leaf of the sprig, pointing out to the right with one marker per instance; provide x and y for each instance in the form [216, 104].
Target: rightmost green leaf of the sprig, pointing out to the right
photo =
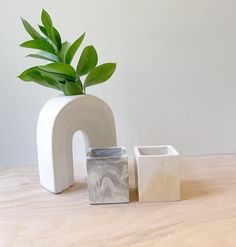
[100, 74]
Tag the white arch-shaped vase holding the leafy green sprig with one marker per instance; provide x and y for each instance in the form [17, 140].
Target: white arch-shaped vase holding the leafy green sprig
[58, 120]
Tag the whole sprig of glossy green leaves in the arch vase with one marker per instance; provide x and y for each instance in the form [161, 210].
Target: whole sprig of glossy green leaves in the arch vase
[60, 74]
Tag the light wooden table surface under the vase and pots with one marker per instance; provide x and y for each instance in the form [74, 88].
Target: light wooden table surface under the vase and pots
[206, 215]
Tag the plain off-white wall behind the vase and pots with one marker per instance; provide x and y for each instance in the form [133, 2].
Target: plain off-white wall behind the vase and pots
[175, 80]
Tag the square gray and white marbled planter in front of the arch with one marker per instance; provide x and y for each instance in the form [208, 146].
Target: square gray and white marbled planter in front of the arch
[107, 170]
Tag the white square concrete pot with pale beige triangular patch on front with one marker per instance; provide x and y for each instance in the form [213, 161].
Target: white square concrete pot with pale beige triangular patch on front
[157, 173]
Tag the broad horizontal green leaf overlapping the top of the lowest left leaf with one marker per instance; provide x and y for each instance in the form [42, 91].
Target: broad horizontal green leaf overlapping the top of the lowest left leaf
[60, 68]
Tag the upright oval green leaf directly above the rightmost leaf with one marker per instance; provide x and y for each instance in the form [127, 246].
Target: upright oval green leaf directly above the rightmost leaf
[88, 60]
